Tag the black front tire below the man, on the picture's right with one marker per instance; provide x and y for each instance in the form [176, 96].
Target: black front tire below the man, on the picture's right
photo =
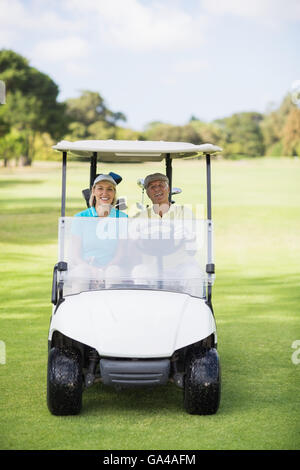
[202, 388]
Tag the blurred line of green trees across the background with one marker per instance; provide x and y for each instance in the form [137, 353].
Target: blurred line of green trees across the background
[32, 120]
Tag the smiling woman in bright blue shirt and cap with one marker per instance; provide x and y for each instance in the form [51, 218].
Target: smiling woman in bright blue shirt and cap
[94, 253]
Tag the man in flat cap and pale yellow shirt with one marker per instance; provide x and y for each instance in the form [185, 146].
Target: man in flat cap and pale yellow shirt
[173, 266]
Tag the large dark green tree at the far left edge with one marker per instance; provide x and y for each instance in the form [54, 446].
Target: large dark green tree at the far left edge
[31, 102]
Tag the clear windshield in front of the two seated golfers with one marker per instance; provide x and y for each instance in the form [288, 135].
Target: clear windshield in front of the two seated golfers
[138, 253]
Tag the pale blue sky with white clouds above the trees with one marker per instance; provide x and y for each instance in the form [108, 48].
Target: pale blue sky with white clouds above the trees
[161, 60]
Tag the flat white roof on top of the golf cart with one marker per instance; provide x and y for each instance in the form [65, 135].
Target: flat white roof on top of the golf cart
[135, 150]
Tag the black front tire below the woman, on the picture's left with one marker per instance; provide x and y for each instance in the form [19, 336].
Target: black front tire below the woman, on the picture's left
[64, 382]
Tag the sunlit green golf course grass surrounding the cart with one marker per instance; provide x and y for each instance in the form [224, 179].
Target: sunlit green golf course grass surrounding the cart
[256, 212]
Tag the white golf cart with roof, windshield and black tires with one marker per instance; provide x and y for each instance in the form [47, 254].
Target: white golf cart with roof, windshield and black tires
[145, 316]
